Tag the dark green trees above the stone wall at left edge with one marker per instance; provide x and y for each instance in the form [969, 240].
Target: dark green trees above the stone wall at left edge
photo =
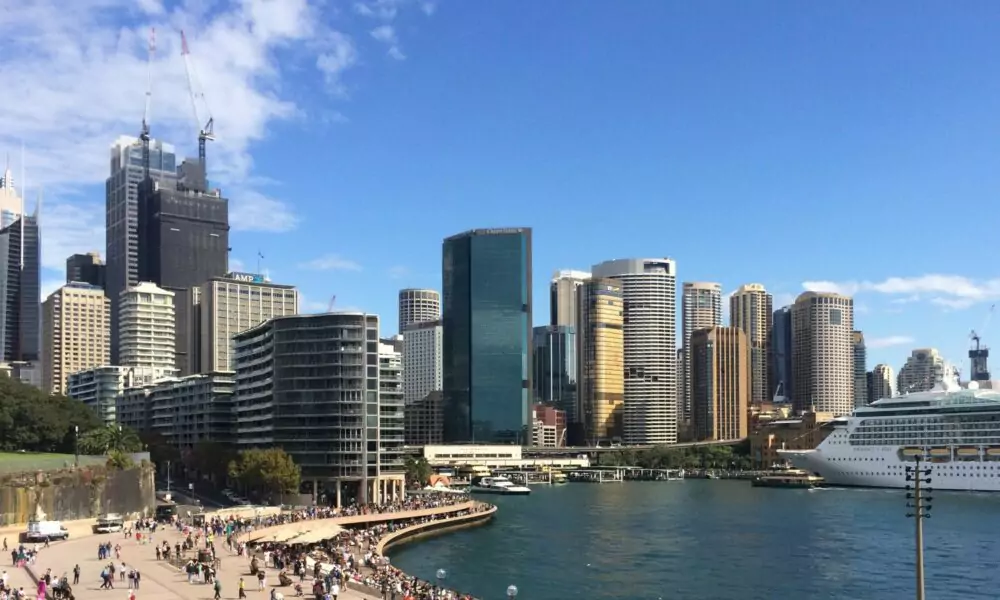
[34, 421]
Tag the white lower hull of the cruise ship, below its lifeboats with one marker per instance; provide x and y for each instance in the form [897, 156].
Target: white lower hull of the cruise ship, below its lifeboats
[882, 467]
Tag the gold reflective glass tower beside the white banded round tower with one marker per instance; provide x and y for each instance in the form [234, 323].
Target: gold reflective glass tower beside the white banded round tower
[600, 351]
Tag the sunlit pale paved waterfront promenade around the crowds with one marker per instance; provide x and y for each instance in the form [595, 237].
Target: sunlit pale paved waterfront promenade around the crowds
[162, 581]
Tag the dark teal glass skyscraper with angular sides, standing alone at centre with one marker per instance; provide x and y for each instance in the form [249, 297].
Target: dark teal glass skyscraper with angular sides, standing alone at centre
[486, 277]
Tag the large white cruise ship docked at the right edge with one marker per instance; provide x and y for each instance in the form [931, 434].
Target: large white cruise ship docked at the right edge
[957, 428]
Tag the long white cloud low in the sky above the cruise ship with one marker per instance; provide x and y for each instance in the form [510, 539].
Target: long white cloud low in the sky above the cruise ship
[952, 291]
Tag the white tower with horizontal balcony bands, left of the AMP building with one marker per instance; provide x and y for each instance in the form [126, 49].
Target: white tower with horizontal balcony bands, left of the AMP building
[146, 327]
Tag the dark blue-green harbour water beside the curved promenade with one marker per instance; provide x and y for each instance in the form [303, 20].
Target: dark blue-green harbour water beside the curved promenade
[716, 540]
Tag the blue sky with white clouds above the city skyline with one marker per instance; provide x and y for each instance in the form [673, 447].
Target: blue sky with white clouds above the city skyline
[845, 146]
